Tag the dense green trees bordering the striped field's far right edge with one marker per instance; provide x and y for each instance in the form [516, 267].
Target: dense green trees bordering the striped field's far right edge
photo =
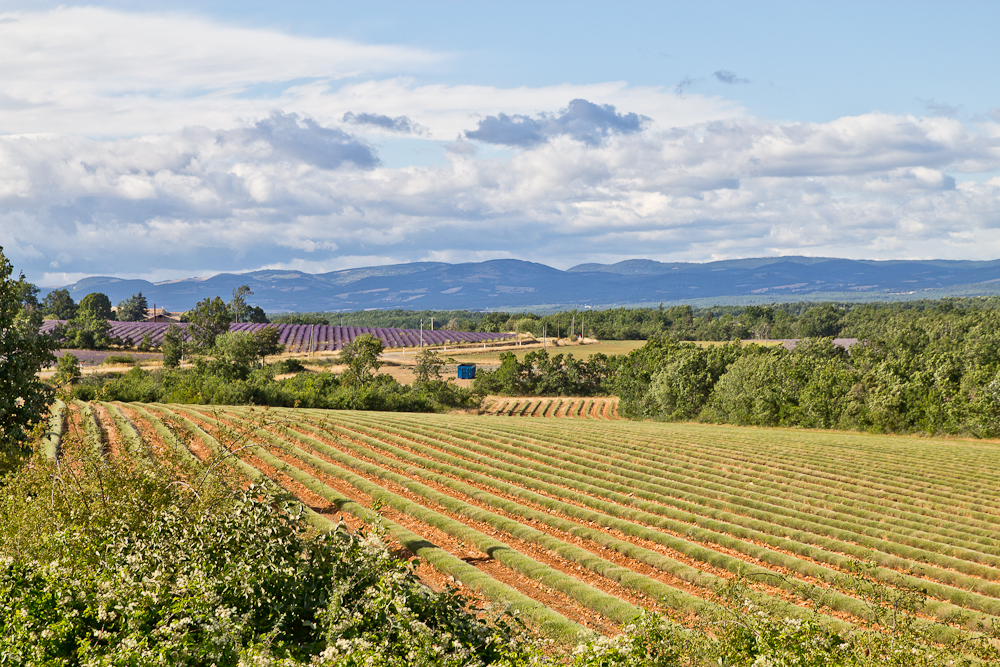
[922, 368]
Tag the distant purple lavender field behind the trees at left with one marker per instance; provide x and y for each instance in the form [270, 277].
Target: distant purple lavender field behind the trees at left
[303, 337]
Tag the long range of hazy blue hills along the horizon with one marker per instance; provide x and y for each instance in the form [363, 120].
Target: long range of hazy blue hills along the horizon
[509, 284]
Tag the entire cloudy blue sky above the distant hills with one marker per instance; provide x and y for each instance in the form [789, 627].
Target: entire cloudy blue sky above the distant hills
[144, 142]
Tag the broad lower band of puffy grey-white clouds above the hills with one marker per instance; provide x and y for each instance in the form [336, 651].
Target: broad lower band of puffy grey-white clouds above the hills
[286, 191]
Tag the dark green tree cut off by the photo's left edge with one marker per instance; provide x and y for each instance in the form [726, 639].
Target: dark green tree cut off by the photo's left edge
[24, 399]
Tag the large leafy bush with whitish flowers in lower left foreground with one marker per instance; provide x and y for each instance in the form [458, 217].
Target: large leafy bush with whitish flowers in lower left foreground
[102, 564]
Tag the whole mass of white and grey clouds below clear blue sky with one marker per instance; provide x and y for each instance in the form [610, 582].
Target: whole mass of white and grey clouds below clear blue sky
[230, 161]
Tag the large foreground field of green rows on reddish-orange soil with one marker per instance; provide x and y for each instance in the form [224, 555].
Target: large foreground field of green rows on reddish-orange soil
[580, 522]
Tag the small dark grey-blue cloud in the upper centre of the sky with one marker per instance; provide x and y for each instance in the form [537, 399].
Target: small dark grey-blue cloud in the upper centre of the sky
[581, 120]
